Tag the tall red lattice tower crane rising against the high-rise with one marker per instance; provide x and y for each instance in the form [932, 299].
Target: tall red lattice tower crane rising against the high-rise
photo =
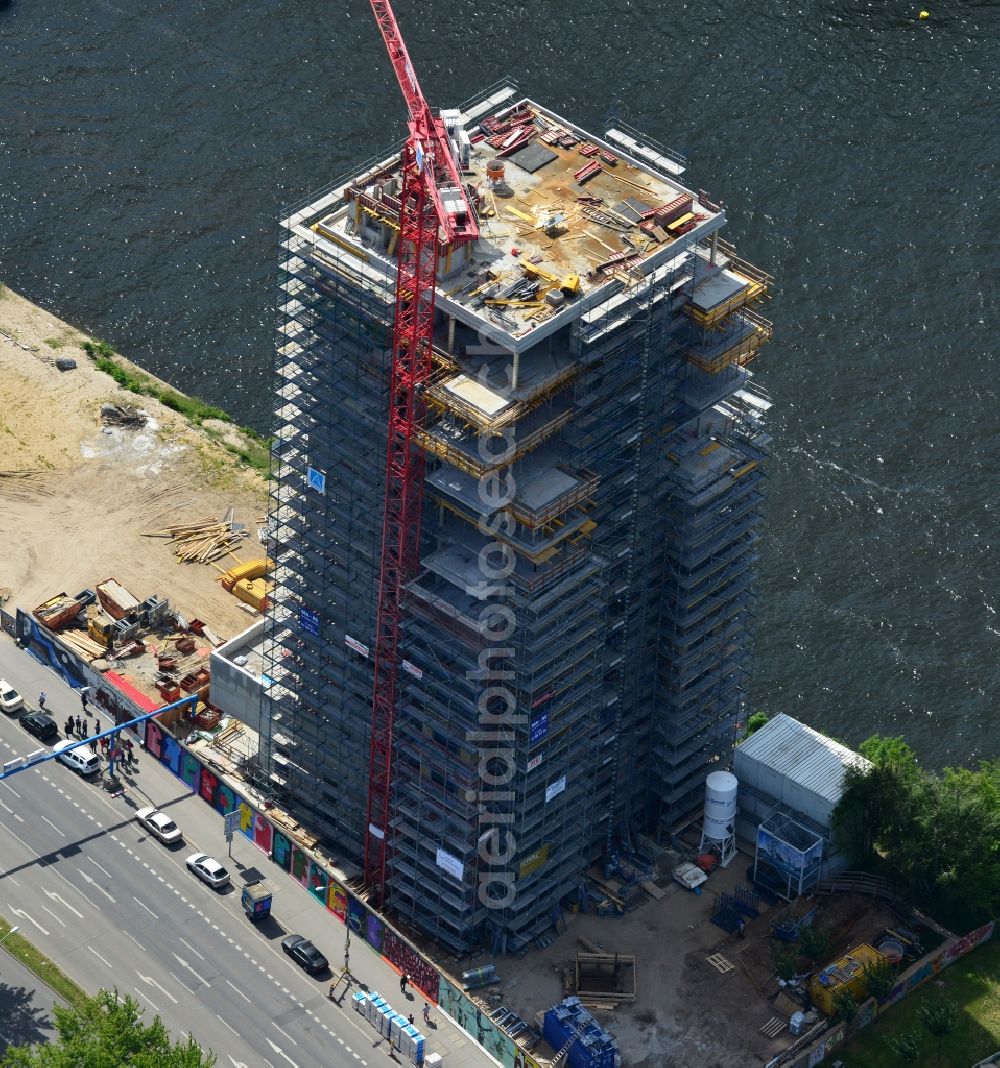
[434, 208]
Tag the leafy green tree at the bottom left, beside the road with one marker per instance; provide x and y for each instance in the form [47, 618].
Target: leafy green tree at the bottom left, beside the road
[103, 1031]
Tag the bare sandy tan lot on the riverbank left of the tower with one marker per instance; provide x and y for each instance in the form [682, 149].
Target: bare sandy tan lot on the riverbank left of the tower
[74, 497]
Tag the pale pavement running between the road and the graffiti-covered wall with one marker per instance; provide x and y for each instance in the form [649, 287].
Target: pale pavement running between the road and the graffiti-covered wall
[294, 910]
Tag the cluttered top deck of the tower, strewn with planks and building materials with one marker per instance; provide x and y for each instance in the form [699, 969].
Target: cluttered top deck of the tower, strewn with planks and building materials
[556, 207]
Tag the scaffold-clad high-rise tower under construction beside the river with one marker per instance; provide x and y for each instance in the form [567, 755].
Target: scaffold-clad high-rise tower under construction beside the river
[575, 642]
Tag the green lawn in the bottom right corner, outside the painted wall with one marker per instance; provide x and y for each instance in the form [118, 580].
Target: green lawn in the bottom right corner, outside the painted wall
[974, 982]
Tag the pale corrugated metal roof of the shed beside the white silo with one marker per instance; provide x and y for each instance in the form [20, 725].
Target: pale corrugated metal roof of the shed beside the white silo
[803, 756]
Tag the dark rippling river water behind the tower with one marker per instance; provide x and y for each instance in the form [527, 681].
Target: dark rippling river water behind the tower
[146, 150]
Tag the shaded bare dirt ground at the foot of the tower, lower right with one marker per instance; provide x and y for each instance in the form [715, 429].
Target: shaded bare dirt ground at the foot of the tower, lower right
[686, 1012]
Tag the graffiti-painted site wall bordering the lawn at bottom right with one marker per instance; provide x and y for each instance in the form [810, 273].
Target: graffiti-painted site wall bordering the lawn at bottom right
[829, 1036]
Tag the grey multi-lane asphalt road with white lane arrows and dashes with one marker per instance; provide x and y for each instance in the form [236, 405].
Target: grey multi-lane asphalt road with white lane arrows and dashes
[115, 908]
